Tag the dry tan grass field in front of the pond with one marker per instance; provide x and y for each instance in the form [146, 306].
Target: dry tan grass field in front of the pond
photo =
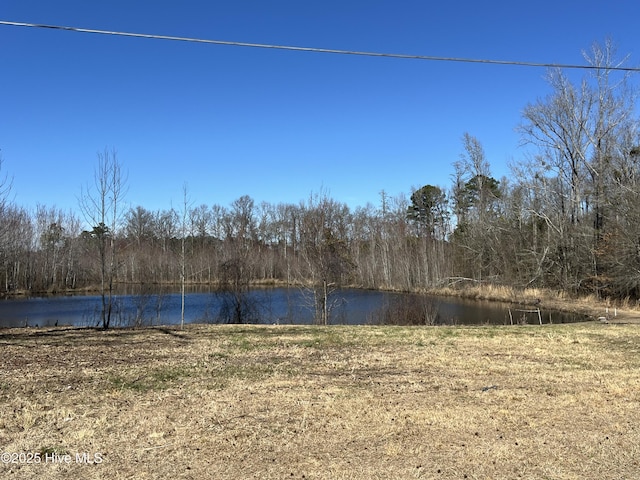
[235, 402]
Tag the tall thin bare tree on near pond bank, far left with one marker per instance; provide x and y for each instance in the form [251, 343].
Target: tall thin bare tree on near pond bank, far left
[101, 205]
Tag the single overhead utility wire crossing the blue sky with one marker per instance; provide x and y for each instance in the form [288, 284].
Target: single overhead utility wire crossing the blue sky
[313, 49]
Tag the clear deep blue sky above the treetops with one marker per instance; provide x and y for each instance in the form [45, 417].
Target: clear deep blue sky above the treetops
[276, 125]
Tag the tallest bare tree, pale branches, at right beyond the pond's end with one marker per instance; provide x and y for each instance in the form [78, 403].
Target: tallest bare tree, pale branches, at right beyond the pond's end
[582, 132]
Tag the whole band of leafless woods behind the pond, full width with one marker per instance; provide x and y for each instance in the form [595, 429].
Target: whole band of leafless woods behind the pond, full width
[567, 218]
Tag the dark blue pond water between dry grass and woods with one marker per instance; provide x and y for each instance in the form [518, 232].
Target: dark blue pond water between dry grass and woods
[268, 306]
